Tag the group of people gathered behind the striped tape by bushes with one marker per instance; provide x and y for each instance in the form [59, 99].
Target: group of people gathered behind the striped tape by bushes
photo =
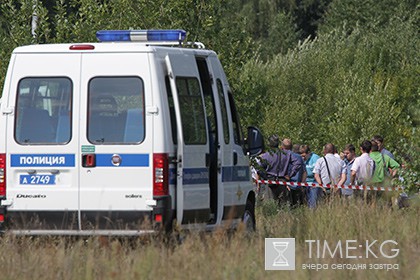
[286, 162]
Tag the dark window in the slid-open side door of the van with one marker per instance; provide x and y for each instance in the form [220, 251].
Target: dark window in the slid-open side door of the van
[192, 111]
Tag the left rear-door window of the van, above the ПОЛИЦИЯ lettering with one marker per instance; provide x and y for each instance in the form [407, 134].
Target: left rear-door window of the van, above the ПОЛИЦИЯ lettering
[43, 111]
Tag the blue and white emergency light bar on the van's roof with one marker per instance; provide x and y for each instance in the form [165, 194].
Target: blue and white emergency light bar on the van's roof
[167, 35]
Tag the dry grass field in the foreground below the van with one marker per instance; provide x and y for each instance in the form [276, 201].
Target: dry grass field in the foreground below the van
[223, 255]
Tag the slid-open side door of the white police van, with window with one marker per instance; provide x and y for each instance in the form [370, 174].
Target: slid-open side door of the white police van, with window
[193, 191]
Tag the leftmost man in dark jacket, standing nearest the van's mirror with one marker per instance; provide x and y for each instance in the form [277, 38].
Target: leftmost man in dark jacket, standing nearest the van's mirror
[279, 165]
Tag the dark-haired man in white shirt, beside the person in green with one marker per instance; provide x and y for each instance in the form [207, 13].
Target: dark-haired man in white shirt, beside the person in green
[363, 166]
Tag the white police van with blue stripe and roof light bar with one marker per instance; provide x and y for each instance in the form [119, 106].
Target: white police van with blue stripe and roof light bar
[134, 133]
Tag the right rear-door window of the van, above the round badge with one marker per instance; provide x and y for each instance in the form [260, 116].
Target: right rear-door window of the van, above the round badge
[115, 110]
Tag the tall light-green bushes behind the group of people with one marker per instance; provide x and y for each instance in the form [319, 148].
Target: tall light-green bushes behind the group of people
[345, 86]
